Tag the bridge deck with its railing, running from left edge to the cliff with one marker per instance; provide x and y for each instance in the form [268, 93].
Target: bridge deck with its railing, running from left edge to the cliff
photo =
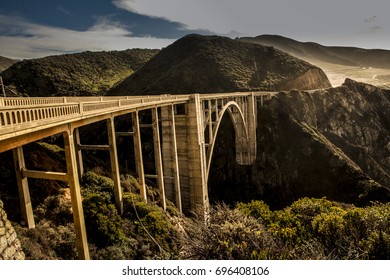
[24, 115]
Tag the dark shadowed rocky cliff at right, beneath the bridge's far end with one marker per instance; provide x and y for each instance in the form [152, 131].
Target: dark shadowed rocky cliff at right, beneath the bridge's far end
[332, 143]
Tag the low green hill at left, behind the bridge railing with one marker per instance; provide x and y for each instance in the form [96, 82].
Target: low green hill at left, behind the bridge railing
[86, 73]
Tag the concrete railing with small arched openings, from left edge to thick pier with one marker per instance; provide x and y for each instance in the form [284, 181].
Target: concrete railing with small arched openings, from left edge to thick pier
[23, 113]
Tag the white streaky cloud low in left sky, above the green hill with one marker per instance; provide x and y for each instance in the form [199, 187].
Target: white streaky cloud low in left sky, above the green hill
[22, 39]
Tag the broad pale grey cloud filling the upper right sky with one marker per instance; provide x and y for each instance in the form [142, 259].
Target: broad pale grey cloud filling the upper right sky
[326, 22]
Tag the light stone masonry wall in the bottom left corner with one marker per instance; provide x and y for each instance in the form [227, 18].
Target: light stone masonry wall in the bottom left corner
[10, 248]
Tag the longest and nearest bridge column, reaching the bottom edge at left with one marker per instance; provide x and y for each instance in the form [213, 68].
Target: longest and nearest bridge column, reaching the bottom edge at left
[77, 207]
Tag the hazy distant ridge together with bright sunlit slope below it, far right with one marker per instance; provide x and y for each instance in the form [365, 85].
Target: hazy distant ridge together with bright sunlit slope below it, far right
[363, 65]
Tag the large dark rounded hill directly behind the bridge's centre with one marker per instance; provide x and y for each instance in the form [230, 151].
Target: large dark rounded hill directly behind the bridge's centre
[204, 64]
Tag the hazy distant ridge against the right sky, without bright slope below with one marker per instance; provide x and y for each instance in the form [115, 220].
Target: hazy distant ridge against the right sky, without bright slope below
[336, 55]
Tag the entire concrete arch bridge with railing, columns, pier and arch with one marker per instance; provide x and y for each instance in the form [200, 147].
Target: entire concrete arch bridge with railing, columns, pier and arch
[184, 132]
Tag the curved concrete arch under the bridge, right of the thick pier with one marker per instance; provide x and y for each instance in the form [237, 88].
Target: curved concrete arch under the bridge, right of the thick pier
[240, 129]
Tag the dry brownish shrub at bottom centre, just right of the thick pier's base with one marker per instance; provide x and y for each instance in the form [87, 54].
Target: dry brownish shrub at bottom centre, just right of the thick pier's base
[231, 234]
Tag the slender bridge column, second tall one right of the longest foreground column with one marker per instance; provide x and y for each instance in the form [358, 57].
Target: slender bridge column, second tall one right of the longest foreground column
[138, 155]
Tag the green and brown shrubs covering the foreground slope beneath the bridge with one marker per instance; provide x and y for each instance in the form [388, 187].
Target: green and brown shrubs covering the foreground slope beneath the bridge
[307, 229]
